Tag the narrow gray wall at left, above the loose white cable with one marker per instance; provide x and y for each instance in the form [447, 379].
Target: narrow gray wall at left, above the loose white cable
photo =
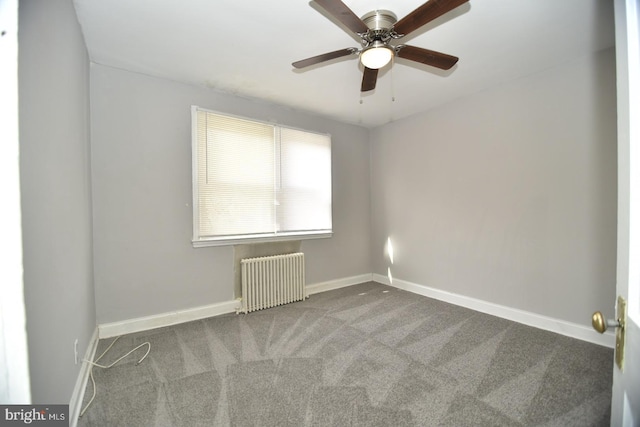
[56, 194]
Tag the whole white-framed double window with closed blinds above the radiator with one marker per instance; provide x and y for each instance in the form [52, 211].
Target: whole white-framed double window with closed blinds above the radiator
[255, 181]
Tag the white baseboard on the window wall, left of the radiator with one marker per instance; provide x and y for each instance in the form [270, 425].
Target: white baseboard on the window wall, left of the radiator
[114, 329]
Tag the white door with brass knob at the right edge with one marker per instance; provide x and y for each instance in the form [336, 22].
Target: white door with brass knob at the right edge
[625, 402]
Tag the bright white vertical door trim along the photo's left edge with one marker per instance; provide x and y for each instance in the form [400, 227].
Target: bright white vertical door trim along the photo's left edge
[14, 369]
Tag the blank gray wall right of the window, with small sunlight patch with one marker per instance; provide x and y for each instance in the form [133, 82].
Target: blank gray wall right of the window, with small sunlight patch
[509, 195]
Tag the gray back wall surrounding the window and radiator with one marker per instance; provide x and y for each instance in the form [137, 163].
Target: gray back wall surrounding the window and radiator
[141, 173]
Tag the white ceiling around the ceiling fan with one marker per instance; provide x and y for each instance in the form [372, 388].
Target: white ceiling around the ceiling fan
[246, 47]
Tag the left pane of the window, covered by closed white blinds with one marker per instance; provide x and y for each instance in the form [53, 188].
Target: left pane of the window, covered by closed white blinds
[236, 176]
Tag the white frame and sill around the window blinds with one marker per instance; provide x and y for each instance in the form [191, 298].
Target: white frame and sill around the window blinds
[198, 241]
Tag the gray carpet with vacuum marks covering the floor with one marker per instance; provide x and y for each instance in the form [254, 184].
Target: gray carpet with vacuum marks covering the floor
[366, 355]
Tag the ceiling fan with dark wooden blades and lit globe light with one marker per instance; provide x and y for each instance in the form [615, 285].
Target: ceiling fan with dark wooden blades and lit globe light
[377, 29]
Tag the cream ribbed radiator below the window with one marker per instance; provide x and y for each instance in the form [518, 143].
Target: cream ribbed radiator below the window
[271, 281]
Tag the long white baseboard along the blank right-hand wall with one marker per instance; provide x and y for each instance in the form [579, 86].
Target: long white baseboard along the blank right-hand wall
[573, 330]
